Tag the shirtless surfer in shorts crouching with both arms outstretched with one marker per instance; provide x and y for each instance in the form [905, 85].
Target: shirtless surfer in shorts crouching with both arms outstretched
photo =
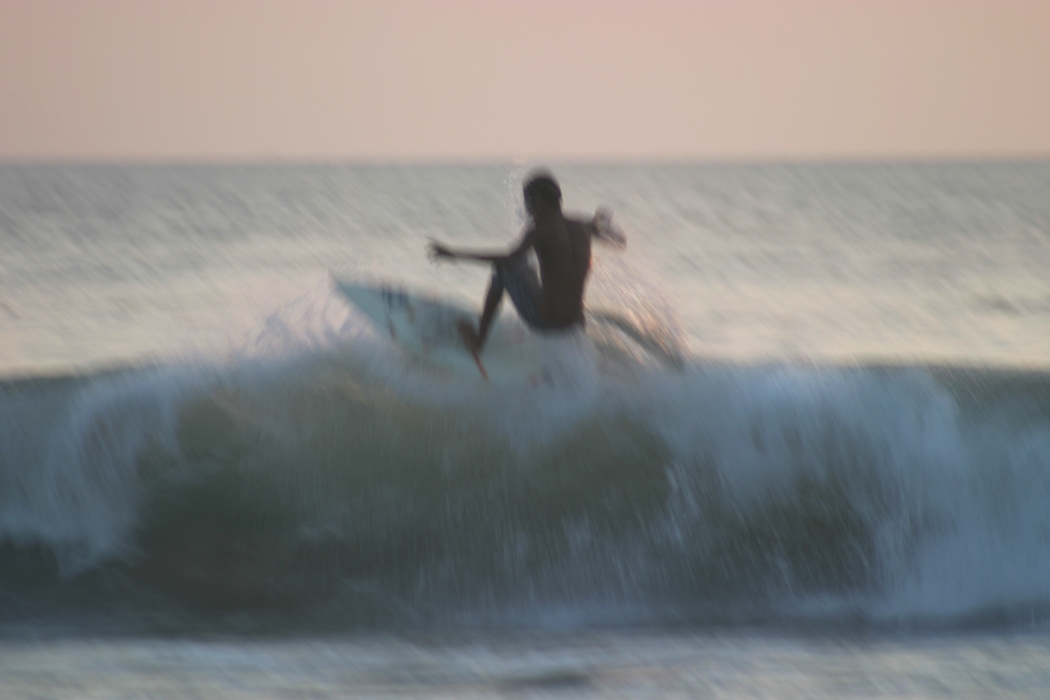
[555, 302]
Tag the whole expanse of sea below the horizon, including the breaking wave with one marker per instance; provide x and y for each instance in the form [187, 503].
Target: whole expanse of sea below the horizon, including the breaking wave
[812, 459]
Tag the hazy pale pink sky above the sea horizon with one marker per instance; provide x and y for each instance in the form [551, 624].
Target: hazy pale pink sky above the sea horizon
[469, 80]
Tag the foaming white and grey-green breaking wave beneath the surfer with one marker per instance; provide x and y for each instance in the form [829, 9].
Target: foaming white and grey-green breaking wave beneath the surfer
[322, 466]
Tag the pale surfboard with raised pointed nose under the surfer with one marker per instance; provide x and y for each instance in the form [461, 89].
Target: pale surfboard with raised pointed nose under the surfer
[427, 328]
